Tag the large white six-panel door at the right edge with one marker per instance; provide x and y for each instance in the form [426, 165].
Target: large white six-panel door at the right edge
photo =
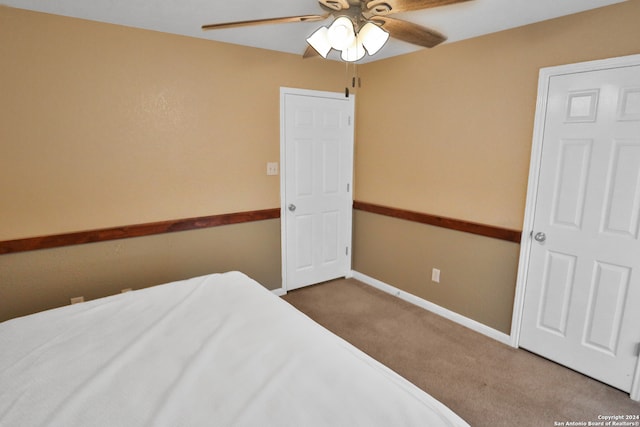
[582, 301]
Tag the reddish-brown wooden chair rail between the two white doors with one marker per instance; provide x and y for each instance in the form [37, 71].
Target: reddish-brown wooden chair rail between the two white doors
[453, 224]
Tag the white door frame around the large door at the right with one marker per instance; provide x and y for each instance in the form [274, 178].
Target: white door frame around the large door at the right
[544, 77]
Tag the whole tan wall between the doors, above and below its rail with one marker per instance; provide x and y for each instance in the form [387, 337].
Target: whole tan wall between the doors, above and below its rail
[448, 132]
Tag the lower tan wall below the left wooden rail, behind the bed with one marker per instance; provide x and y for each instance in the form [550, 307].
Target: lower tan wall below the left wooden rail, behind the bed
[39, 280]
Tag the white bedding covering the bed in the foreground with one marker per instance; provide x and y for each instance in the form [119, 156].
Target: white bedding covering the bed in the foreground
[217, 350]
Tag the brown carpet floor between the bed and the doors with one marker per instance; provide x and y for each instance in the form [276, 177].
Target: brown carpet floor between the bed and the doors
[487, 383]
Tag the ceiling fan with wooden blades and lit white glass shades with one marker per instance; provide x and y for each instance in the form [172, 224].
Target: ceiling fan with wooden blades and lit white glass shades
[359, 26]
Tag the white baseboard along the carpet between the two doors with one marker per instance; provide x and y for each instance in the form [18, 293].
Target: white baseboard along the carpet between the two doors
[434, 308]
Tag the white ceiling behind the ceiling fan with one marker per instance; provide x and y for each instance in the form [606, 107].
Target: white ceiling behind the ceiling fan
[185, 17]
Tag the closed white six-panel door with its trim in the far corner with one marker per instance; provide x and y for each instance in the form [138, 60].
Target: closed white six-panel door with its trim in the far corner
[317, 164]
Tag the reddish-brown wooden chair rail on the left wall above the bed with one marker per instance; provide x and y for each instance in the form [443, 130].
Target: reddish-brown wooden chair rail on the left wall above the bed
[138, 230]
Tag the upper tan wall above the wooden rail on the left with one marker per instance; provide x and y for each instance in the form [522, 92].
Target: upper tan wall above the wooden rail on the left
[103, 125]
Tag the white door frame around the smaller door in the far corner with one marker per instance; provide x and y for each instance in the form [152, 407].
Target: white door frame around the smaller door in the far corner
[284, 91]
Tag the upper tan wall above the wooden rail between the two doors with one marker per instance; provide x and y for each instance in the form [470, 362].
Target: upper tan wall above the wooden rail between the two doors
[448, 131]
